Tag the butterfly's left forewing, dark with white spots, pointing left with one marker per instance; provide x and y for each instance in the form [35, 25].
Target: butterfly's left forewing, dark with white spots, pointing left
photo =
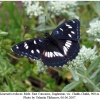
[31, 48]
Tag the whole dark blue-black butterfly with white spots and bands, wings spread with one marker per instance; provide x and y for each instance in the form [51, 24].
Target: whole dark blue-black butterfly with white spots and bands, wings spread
[55, 49]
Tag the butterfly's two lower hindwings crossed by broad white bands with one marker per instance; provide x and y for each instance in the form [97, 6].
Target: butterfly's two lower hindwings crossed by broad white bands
[53, 56]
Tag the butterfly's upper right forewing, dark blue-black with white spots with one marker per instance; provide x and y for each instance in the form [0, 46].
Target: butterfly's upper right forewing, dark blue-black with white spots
[68, 30]
